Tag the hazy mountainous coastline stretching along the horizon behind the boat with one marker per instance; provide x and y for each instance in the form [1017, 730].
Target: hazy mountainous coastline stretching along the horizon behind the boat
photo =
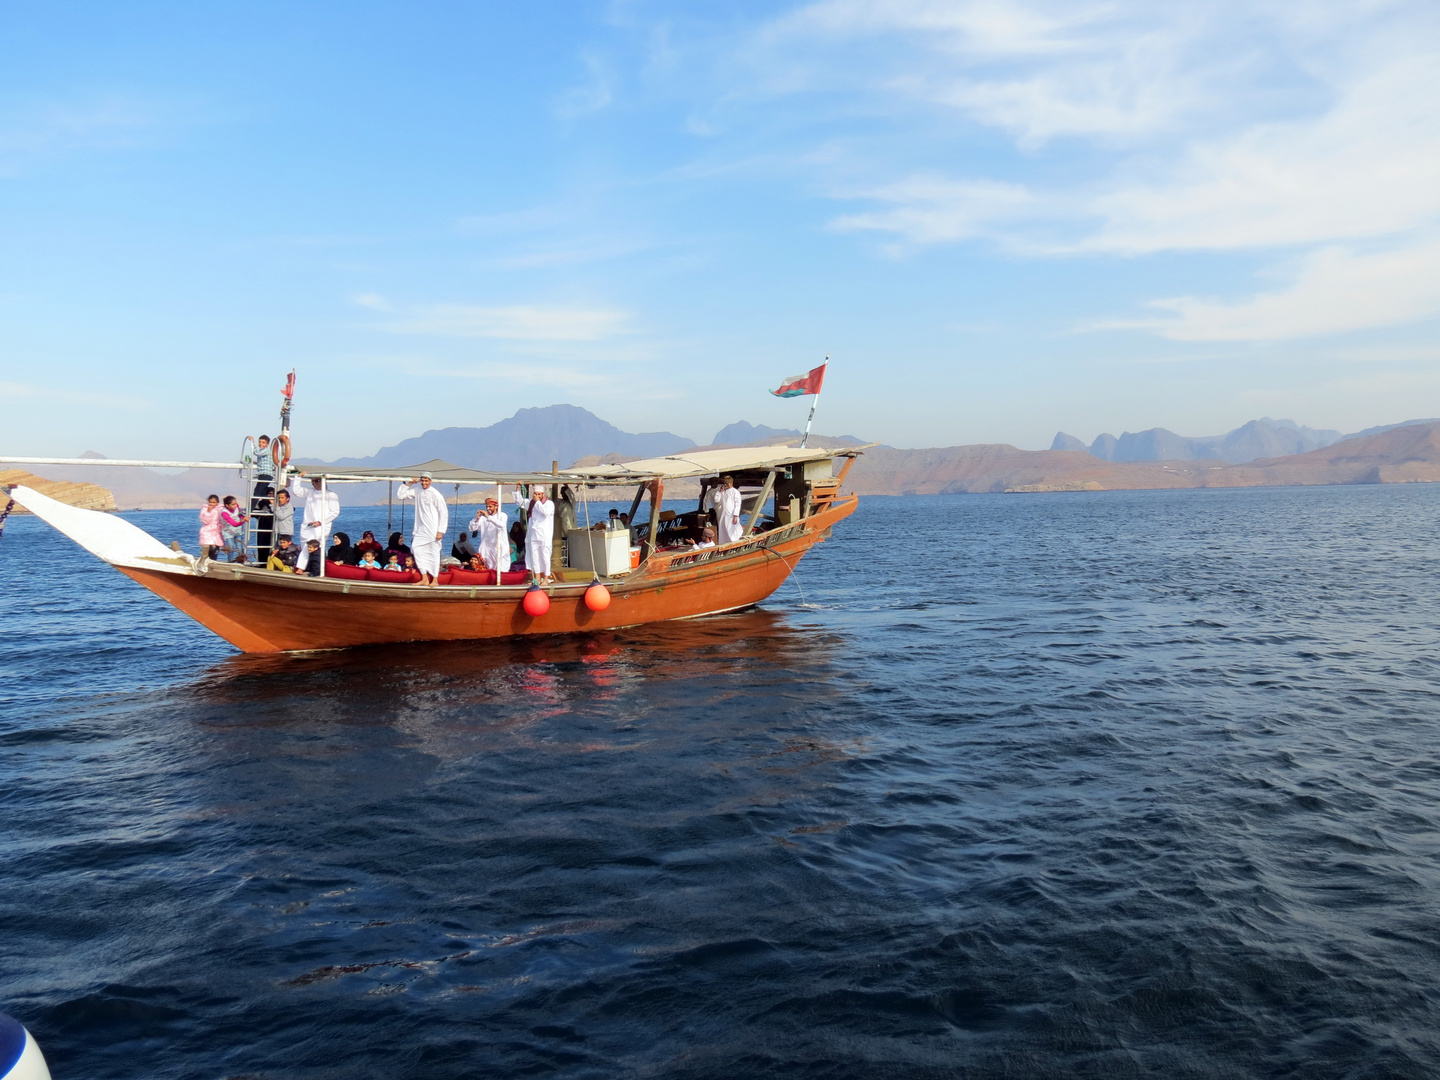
[568, 434]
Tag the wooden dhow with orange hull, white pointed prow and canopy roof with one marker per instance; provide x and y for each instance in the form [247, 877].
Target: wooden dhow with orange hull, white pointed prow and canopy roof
[793, 506]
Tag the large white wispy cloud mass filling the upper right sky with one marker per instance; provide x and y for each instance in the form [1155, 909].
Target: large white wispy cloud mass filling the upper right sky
[1308, 130]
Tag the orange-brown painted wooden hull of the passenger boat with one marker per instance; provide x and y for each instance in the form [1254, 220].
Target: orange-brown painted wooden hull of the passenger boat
[261, 611]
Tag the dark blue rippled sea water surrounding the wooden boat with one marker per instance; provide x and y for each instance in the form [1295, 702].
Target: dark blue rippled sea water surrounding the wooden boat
[1107, 786]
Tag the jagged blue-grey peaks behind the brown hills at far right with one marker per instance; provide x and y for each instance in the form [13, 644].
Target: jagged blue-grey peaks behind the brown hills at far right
[1264, 438]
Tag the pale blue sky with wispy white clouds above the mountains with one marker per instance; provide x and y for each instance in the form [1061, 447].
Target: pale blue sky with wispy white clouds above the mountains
[1002, 220]
